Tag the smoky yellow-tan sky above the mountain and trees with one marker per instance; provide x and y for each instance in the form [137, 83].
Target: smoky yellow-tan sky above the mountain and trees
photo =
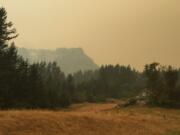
[110, 31]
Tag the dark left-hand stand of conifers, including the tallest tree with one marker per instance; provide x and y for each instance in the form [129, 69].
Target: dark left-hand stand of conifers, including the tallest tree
[24, 85]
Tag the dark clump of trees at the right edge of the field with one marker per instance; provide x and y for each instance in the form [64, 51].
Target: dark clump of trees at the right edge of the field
[162, 83]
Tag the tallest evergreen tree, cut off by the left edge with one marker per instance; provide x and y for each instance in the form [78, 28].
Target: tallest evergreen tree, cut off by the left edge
[8, 57]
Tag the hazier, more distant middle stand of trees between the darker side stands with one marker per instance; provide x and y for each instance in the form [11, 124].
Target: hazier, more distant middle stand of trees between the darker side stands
[109, 82]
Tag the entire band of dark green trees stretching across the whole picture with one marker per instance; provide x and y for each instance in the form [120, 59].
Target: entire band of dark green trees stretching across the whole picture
[44, 85]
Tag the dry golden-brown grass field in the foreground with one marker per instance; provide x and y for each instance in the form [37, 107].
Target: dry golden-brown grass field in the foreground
[91, 119]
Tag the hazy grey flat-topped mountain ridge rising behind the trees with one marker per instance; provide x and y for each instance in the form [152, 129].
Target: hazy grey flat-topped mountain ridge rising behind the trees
[70, 60]
